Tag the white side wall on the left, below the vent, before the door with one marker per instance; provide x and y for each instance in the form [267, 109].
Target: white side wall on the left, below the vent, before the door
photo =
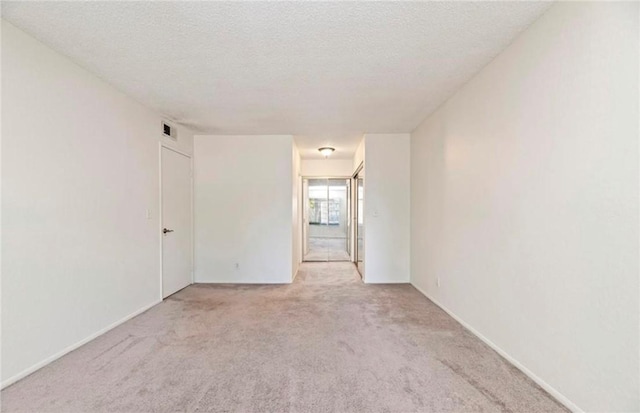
[79, 170]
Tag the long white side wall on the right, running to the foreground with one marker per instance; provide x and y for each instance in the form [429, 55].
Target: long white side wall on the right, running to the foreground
[525, 204]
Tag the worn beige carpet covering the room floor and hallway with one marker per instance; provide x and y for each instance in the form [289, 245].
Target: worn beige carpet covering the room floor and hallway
[326, 343]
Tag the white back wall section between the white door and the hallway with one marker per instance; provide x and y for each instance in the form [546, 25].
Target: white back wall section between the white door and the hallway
[243, 213]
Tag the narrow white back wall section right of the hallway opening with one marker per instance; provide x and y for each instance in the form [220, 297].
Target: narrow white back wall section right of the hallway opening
[386, 208]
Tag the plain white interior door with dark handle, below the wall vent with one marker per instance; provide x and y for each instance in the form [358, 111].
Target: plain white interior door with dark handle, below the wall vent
[176, 221]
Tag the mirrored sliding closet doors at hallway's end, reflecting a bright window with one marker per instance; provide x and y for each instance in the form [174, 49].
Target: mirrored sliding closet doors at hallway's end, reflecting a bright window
[326, 219]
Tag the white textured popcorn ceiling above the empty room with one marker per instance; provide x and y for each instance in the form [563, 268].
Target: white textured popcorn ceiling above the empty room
[326, 72]
